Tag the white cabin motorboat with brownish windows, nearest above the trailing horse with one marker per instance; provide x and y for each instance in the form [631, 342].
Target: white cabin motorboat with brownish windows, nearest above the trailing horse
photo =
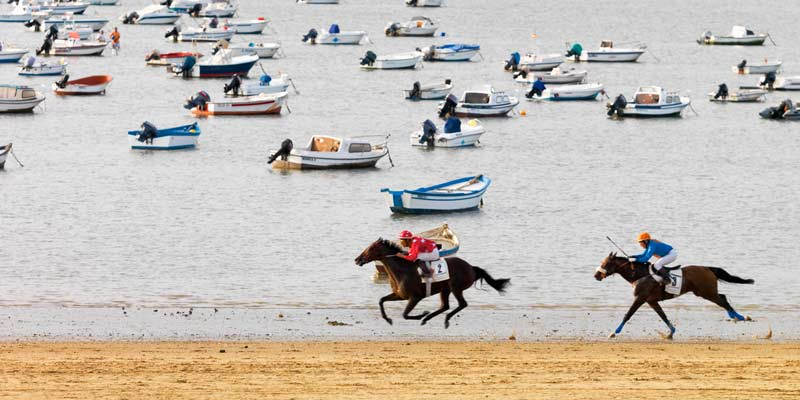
[650, 101]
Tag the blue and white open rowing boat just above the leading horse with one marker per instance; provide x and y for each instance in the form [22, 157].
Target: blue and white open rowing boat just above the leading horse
[462, 194]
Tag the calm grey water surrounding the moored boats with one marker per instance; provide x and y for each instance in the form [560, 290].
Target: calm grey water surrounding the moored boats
[88, 222]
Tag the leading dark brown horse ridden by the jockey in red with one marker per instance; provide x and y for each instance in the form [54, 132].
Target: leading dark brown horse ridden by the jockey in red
[407, 284]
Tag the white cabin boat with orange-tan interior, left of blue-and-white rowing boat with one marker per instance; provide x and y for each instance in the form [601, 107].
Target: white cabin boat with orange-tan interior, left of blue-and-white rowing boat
[327, 152]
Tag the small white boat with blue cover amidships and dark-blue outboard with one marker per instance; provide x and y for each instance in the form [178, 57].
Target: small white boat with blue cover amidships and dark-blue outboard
[453, 134]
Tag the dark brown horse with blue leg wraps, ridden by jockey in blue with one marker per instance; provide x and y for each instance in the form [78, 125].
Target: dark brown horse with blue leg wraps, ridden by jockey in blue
[702, 281]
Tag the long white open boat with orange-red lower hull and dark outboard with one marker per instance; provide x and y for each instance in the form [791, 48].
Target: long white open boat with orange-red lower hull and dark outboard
[261, 104]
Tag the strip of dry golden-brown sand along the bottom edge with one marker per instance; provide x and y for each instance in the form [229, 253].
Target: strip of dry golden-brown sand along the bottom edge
[399, 370]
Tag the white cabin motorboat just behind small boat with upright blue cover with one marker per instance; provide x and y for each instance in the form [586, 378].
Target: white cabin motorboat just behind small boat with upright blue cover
[482, 101]
